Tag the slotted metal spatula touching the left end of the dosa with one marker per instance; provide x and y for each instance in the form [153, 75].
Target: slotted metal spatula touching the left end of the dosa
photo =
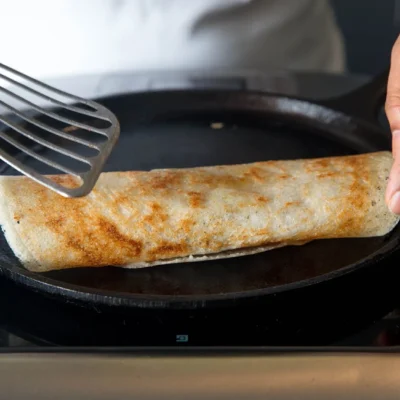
[19, 123]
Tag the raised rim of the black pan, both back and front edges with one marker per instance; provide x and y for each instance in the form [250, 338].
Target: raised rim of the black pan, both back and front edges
[74, 292]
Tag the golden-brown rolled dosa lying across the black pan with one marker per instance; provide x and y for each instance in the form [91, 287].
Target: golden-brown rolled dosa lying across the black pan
[137, 219]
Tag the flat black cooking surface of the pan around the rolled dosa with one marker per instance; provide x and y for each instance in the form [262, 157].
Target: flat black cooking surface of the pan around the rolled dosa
[169, 141]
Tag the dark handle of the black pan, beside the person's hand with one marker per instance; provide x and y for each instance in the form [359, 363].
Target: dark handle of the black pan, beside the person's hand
[364, 102]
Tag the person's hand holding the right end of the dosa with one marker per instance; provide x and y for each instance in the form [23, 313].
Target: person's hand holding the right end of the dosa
[392, 108]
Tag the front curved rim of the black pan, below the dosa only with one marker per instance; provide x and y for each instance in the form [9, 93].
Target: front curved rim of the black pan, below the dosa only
[36, 282]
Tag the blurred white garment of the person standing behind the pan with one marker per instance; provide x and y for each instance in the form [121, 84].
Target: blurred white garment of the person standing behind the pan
[52, 39]
